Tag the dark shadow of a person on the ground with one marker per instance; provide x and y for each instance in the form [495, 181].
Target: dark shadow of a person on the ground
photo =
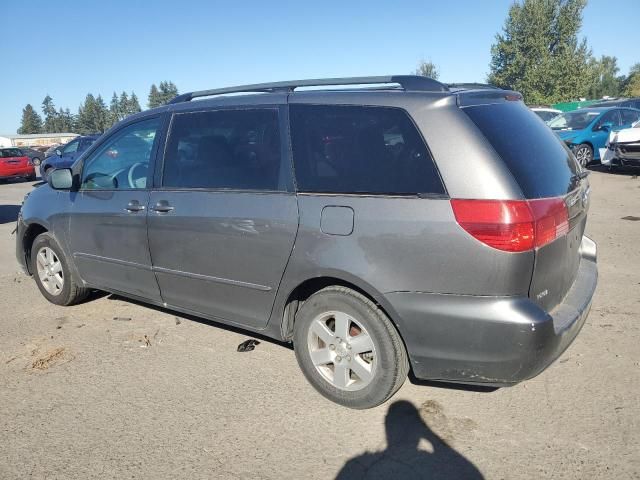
[402, 459]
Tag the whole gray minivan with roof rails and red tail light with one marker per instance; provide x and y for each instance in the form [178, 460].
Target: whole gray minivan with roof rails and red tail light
[407, 226]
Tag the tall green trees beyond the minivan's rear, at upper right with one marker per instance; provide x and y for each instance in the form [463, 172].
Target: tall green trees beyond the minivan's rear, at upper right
[539, 54]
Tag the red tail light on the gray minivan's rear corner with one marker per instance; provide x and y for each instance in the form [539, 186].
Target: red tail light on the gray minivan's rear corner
[513, 225]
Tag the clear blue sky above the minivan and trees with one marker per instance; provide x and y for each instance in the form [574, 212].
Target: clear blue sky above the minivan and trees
[68, 48]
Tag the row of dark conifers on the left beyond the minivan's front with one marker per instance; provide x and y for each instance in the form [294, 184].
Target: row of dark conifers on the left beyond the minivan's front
[93, 116]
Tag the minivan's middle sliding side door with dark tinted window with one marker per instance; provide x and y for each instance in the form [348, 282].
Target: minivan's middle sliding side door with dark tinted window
[223, 221]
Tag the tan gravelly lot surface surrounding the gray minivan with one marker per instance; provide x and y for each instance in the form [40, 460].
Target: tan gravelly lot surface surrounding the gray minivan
[114, 389]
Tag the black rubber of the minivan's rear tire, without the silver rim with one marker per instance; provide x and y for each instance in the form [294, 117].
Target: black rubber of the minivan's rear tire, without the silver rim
[377, 325]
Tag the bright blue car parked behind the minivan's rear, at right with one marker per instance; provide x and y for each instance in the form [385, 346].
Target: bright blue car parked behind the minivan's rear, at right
[586, 130]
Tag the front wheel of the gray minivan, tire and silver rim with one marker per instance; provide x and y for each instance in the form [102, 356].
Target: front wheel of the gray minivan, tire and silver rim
[53, 263]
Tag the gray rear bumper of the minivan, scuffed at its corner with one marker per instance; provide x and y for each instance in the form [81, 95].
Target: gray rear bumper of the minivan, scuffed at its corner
[495, 341]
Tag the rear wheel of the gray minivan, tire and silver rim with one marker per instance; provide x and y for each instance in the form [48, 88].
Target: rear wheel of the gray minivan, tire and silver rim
[352, 370]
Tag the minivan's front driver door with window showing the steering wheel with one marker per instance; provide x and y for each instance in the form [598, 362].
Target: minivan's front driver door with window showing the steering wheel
[108, 226]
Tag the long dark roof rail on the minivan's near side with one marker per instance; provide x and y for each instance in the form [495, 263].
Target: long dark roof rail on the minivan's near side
[413, 83]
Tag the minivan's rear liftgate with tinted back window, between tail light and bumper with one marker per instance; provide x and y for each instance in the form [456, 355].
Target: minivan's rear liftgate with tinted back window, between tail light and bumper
[543, 167]
